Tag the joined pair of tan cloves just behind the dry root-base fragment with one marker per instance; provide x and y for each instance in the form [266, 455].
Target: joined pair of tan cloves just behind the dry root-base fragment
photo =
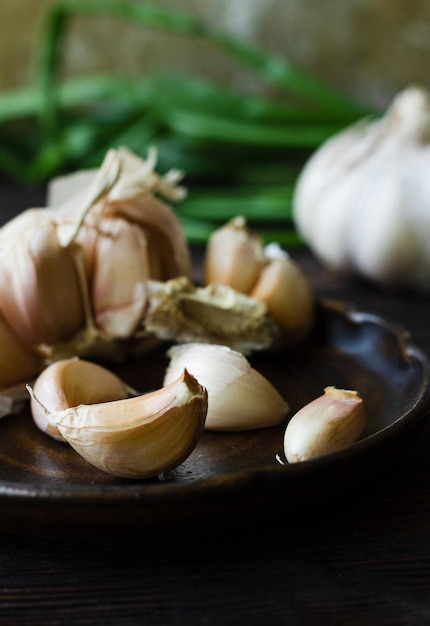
[237, 258]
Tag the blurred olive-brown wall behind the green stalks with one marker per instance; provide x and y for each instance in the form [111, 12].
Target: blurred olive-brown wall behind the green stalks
[368, 48]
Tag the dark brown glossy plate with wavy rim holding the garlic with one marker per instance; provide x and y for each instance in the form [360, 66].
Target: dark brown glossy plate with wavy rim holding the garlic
[46, 488]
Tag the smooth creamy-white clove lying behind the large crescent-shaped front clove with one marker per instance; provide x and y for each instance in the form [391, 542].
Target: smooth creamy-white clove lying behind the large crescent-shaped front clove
[239, 397]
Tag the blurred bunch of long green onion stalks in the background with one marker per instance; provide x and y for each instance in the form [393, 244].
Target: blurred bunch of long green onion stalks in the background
[241, 153]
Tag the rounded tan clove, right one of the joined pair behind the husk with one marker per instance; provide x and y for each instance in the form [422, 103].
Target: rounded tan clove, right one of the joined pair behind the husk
[287, 293]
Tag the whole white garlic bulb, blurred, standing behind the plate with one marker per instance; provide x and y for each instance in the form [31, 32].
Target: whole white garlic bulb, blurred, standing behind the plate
[362, 200]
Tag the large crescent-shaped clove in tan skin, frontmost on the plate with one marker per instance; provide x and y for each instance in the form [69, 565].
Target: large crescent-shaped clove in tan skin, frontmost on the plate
[140, 437]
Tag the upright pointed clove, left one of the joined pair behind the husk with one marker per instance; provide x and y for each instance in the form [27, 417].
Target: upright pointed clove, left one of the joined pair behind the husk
[234, 256]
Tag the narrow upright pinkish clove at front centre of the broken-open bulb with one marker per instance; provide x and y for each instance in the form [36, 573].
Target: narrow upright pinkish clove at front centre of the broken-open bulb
[119, 275]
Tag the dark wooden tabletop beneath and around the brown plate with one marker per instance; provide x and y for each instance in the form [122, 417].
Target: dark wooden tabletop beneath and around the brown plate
[361, 559]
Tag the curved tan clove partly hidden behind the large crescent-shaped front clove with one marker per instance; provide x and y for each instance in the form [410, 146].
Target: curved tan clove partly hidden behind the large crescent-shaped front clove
[70, 382]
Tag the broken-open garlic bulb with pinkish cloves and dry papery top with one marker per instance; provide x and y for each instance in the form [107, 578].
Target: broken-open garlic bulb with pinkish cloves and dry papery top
[74, 276]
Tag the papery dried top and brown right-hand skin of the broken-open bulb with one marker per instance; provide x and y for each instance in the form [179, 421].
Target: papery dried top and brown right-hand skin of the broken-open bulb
[130, 196]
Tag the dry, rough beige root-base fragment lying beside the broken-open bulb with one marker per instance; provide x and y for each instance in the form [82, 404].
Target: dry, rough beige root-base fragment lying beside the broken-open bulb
[181, 312]
